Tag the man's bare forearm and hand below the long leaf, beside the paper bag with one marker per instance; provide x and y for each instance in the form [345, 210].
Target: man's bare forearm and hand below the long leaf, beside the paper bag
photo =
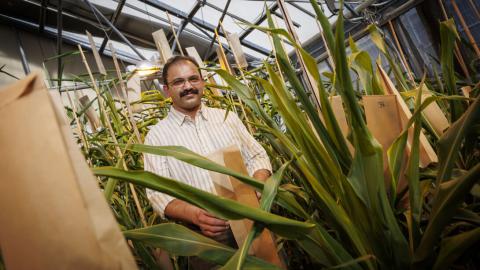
[208, 223]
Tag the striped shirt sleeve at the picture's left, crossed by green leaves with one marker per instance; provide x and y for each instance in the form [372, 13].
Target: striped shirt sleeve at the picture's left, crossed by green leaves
[157, 165]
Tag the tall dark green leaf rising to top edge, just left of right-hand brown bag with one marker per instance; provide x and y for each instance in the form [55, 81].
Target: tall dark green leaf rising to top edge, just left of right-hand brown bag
[367, 169]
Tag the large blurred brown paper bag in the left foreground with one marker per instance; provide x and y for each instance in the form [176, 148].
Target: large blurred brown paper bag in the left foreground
[52, 214]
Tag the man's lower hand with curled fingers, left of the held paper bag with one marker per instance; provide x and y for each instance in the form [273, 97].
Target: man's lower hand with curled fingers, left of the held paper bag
[209, 224]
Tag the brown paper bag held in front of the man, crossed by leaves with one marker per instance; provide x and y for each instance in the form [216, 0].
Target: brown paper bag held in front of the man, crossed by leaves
[264, 245]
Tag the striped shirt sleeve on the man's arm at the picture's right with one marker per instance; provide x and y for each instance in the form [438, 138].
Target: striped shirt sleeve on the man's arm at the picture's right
[254, 155]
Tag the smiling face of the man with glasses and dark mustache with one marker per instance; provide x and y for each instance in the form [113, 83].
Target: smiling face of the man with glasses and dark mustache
[185, 86]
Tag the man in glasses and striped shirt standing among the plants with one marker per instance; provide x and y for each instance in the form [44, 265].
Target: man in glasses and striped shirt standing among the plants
[203, 130]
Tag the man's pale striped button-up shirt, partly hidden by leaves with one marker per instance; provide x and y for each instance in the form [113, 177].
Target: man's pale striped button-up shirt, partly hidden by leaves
[207, 133]
